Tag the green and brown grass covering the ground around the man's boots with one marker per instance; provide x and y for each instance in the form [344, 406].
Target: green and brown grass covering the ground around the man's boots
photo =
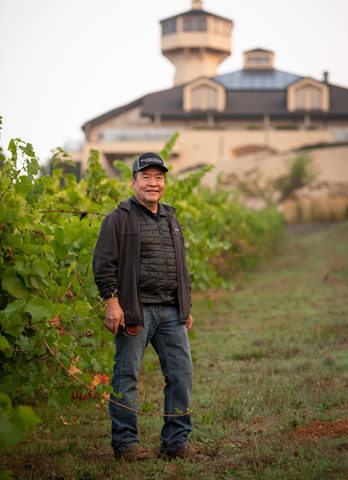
[268, 356]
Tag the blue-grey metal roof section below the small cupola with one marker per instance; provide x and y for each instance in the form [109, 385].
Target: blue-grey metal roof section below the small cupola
[257, 80]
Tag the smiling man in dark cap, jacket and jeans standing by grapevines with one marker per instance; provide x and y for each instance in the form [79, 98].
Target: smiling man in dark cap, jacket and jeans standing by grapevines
[140, 269]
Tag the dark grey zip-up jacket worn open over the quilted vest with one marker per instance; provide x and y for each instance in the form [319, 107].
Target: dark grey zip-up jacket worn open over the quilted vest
[116, 262]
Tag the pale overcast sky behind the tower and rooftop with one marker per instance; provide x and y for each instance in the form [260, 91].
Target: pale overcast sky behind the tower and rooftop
[65, 61]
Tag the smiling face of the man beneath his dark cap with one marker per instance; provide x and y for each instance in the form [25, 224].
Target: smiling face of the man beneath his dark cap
[149, 186]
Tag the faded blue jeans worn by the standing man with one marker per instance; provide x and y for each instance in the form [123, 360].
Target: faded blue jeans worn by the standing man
[170, 340]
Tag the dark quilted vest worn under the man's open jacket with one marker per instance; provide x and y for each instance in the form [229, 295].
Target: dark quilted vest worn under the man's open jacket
[157, 272]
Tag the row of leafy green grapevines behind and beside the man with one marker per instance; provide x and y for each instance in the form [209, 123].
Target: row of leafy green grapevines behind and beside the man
[48, 299]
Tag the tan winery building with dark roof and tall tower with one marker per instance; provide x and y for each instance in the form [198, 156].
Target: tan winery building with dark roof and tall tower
[220, 117]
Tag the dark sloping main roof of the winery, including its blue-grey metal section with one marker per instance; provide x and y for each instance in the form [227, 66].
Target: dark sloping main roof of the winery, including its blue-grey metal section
[250, 95]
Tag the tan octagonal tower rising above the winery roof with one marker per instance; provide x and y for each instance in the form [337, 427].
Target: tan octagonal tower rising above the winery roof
[196, 42]
